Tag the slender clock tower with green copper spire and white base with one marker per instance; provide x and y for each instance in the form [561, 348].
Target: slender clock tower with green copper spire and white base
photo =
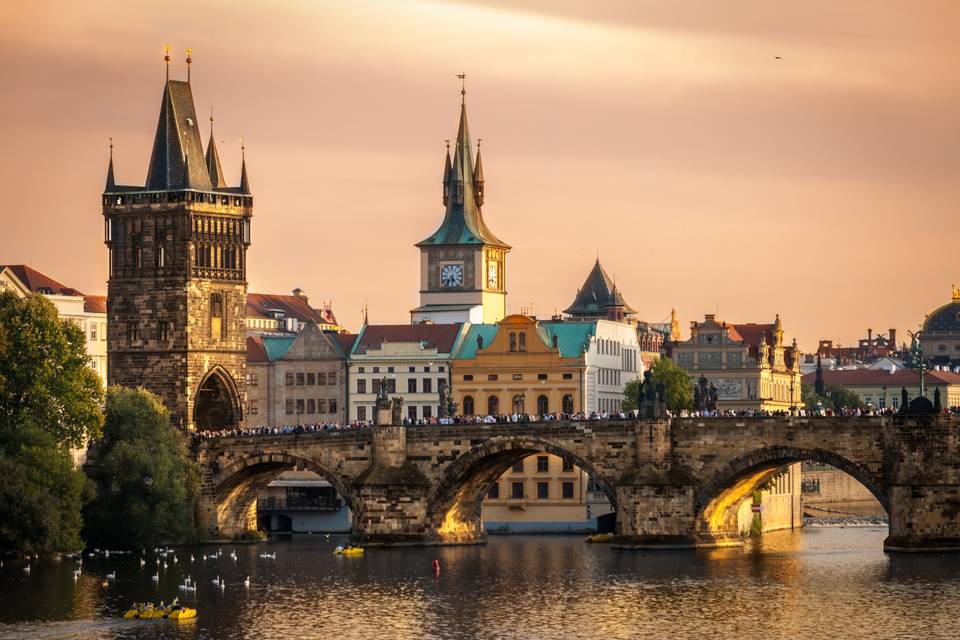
[462, 265]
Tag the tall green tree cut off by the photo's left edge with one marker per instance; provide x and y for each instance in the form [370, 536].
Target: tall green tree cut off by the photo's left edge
[49, 404]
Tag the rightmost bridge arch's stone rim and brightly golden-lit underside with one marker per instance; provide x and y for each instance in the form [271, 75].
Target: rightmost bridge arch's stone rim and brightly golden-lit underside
[719, 497]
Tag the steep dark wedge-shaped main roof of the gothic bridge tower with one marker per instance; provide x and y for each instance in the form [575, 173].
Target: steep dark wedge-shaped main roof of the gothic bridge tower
[177, 159]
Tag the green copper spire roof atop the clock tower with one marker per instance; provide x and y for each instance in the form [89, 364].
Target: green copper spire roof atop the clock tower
[463, 220]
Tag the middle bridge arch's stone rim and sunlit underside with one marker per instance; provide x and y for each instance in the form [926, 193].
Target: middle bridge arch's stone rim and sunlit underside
[454, 502]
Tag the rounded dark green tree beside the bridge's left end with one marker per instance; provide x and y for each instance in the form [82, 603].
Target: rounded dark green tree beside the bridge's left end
[147, 485]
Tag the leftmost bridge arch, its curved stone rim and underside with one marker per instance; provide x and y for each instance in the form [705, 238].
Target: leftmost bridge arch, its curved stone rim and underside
[237, 485]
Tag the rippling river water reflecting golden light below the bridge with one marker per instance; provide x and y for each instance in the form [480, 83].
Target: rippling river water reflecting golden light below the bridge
[816, 583]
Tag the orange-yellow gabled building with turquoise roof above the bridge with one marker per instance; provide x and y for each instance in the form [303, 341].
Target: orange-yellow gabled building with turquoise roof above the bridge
[521, 366]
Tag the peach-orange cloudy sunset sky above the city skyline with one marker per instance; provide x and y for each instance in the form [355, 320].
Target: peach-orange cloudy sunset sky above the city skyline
[665, 135]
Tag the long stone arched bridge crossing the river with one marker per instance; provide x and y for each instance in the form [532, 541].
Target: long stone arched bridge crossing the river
[674, 483]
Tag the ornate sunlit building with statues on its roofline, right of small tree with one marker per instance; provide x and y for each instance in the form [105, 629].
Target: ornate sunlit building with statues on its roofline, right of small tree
[748, 364]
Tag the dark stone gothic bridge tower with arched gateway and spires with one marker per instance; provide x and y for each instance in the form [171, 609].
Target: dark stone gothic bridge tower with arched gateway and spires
[177, 290]
